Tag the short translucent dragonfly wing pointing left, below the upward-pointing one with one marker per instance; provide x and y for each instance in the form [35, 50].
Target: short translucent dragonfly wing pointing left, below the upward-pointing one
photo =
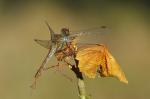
[44, 43]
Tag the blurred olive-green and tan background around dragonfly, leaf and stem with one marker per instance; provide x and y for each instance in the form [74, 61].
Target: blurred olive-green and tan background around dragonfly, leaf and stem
[128, 40]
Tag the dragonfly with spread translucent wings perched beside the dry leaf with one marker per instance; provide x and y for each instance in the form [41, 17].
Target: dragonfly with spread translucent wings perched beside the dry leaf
[58, 42]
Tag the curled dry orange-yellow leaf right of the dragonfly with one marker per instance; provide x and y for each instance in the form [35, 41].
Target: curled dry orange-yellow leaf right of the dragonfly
[96, 58]
